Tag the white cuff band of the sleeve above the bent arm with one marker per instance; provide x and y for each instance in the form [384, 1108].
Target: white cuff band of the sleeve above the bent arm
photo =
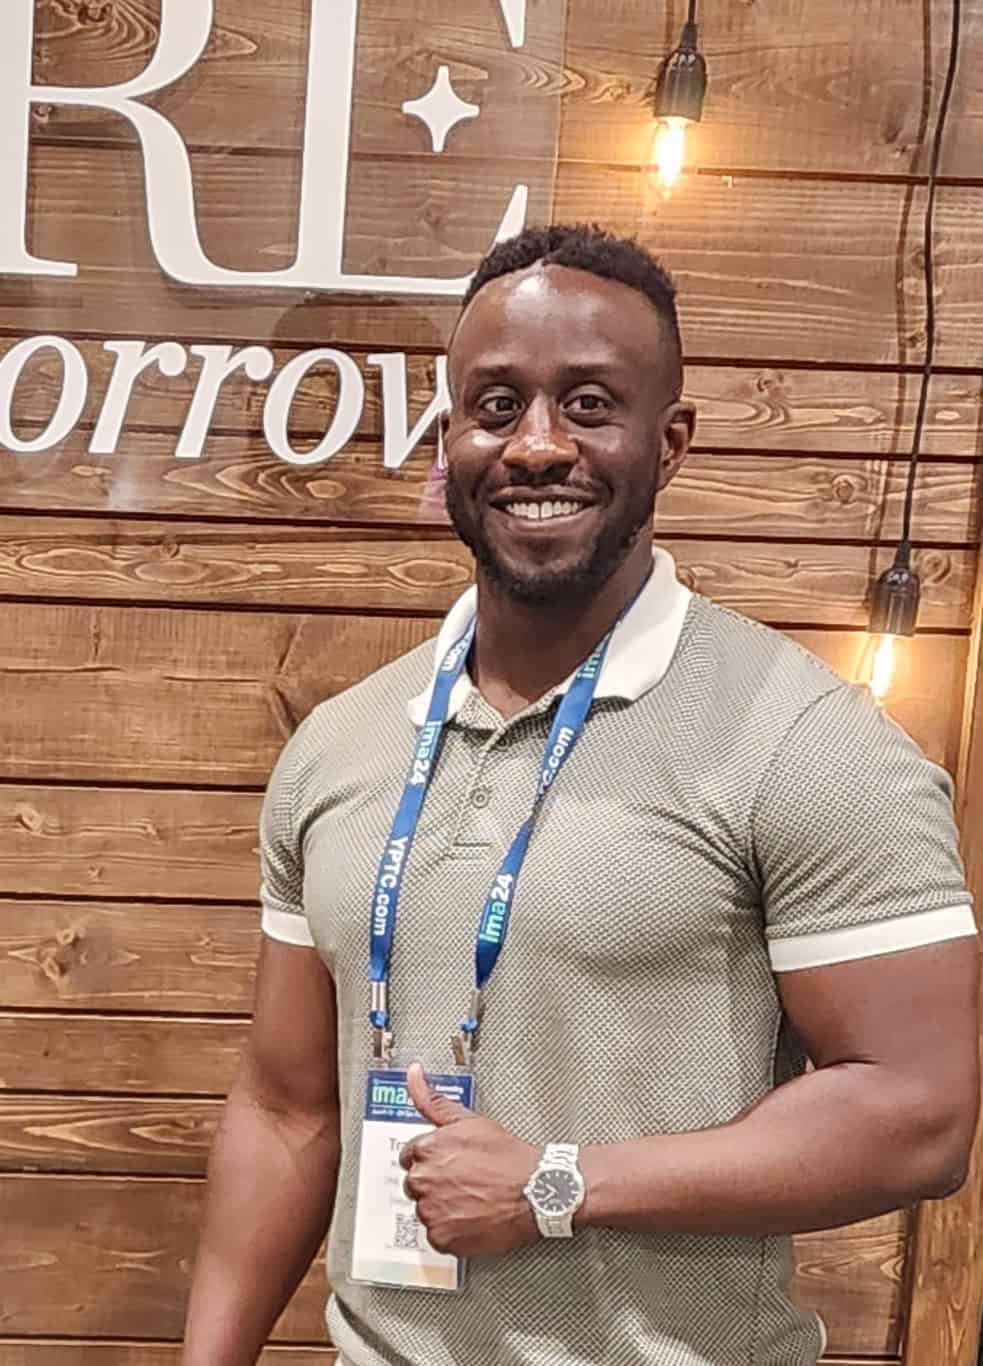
[894, 936]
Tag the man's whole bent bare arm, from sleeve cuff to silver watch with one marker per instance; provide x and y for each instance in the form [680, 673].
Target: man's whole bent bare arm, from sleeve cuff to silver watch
[885, 1119]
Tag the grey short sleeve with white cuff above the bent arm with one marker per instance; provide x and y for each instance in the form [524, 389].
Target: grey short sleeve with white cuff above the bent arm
[854, 841]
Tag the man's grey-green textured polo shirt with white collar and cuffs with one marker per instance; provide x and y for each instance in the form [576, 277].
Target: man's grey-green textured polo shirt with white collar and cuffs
[734, 811]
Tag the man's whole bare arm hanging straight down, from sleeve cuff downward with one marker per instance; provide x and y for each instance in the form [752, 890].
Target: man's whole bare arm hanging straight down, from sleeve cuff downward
[274, 1166]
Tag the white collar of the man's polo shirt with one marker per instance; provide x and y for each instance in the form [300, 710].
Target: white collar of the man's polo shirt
[638, 656]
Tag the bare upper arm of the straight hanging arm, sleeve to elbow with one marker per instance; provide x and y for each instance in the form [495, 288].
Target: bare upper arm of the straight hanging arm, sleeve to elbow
[291, 1054]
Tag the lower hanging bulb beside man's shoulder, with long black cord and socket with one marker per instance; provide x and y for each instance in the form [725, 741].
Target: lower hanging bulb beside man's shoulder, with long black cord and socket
[896, 594]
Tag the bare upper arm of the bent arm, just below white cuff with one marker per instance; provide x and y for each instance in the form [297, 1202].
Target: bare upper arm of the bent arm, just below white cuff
[913, 1012]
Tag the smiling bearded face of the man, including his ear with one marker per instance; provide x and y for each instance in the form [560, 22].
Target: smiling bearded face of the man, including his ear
[565, 426]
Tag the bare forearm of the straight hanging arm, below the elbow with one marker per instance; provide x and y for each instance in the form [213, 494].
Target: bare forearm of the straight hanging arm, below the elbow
[271, 1195]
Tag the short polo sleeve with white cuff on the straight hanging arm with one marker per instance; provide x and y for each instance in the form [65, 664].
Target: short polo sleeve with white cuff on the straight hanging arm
[282, 857]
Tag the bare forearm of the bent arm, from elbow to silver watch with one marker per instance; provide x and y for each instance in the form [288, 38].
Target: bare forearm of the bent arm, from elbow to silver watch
[831, 1148]
